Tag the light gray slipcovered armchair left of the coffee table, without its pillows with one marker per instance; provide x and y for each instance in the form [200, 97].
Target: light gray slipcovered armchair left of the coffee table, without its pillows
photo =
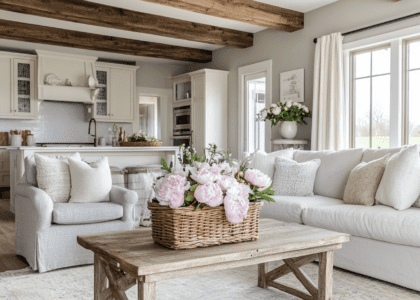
[46, 232]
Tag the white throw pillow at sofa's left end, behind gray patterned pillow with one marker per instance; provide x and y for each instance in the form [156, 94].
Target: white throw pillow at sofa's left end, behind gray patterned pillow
[265, 161]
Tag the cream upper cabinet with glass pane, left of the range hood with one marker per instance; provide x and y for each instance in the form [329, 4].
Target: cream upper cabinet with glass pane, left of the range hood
[17, 85]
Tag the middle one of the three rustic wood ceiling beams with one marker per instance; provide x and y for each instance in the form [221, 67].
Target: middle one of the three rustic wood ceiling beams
[91, 13]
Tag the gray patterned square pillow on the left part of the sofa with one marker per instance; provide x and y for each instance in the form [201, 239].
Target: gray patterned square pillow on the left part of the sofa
[295, 179]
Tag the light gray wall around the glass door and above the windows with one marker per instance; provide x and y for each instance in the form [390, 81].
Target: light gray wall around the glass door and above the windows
[296, 50]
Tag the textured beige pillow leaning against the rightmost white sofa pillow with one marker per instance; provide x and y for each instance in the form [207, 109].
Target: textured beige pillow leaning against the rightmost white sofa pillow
[364, 181]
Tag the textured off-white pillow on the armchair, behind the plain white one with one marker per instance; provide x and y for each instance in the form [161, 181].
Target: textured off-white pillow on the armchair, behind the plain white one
[53, 176]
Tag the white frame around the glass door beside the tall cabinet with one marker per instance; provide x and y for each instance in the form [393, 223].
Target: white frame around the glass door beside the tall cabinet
[264, 66]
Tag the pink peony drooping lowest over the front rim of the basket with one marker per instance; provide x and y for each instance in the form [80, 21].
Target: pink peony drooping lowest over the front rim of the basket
[237, 203]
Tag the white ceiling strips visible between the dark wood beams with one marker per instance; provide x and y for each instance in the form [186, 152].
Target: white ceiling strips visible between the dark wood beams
[146, 7]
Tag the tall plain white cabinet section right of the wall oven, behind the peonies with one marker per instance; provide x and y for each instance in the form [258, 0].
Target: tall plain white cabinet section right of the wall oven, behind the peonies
[209, 109]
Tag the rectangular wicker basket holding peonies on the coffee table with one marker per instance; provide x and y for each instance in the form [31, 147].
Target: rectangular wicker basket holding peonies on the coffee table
[185, 228]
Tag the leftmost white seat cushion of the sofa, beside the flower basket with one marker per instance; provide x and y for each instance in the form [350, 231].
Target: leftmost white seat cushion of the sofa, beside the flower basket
[290, 208]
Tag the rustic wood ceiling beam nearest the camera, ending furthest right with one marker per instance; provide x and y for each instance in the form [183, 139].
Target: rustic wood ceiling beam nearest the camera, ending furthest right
[246, 11]
